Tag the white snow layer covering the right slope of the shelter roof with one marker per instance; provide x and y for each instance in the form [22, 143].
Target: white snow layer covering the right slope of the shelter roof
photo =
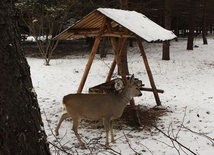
[139, 24]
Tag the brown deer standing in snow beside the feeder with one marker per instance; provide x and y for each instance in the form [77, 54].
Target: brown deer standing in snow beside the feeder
[105, 107]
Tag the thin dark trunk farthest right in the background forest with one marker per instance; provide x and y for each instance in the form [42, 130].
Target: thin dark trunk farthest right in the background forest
[204, 23]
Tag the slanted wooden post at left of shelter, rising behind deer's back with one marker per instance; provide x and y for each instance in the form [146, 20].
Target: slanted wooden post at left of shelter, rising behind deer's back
[91, 57]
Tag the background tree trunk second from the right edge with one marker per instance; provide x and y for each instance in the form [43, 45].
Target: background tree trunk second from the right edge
[191, 25]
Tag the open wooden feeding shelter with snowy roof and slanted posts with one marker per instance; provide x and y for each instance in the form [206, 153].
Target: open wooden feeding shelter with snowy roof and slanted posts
[122, 24]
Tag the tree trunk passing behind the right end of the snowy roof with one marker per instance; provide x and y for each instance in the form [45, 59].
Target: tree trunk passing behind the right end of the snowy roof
[167, 25]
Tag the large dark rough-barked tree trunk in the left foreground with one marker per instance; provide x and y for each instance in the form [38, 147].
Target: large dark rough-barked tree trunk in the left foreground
[21, 127]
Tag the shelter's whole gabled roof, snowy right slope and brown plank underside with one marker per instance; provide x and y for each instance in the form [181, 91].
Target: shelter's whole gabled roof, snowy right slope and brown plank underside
[136, 23]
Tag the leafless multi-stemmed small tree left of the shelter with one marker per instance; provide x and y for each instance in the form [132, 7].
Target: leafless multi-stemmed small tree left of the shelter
[44, 19]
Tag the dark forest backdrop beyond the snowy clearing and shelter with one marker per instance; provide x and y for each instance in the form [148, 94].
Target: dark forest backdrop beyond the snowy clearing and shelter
[44, 19]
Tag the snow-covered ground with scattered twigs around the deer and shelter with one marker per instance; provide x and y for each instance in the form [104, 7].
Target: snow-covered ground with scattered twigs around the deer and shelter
[187, 80]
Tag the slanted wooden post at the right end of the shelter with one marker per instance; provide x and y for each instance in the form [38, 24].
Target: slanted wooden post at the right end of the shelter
[154, 89]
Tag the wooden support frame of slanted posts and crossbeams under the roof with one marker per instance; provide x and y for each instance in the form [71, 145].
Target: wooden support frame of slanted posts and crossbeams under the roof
[106, 30]
